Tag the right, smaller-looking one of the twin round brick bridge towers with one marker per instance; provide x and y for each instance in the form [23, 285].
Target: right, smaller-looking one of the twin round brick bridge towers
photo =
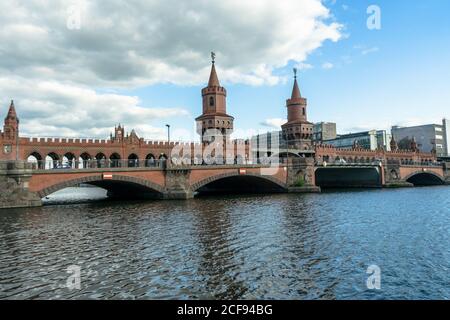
[298, 131]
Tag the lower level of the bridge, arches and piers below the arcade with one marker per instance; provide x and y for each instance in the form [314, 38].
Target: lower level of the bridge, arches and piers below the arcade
[24, 184]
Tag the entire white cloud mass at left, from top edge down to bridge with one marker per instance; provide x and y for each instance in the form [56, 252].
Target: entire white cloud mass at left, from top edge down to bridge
[59, 75]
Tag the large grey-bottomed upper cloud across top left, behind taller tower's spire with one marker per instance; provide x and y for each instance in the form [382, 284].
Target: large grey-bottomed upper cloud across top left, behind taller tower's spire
[145, 42]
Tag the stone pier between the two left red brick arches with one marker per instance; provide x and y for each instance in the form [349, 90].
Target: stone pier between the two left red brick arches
[177, 184]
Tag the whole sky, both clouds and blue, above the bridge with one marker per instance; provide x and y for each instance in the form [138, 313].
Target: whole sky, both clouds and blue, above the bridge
[144, 64]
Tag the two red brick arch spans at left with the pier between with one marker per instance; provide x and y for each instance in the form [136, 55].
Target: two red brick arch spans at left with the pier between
[178, 182]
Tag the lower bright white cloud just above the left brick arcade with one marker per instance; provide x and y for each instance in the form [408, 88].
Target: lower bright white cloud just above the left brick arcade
[50, 108]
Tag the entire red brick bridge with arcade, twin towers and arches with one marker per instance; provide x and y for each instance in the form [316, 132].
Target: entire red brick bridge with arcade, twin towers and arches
[128, 166]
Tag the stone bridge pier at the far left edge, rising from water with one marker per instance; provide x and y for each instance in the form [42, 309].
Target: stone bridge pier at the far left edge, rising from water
[14, 178]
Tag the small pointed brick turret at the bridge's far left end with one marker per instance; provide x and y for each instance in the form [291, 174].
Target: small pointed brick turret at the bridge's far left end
[10, 135]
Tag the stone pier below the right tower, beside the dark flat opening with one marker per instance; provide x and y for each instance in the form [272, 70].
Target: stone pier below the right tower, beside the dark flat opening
[301, 176]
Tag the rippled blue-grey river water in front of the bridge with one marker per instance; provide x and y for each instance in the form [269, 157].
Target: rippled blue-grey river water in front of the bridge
[316, 246]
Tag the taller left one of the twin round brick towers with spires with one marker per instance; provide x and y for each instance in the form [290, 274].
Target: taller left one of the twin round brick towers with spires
[214, 121]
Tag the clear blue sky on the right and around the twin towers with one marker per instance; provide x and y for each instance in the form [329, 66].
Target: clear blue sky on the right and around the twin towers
[370, 79]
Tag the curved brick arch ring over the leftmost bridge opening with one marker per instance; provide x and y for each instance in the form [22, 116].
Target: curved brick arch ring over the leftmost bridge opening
[90, 179]
